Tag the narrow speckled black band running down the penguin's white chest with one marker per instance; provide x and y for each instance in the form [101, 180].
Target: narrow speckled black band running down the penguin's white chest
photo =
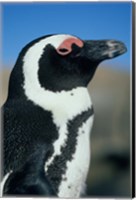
[58, 166]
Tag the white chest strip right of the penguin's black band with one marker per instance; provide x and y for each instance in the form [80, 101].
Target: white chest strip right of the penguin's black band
[73, 180]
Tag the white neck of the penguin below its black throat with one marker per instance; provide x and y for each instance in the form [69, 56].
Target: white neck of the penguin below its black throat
[63, 105]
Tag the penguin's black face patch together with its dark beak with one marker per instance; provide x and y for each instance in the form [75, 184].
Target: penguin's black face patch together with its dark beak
[57, 73]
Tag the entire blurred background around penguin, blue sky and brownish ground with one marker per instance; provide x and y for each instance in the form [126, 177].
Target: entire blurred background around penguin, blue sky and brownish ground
[109, 174]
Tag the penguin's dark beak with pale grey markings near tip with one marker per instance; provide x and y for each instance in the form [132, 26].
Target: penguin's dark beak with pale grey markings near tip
[99, 50]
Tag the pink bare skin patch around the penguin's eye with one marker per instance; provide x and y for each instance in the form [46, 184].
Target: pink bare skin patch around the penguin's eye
[66, 46]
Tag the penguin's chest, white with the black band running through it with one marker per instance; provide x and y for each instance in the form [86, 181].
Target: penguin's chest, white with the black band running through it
[68, 166]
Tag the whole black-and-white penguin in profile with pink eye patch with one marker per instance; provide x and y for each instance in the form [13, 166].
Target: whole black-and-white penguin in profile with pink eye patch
[48, 115]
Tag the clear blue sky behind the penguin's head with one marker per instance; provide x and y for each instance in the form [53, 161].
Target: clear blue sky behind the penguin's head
[23, 22]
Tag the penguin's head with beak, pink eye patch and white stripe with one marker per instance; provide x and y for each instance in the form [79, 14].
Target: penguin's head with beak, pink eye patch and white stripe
[63, 62]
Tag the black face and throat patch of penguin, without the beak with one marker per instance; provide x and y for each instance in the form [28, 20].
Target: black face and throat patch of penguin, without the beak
[57, 73]
